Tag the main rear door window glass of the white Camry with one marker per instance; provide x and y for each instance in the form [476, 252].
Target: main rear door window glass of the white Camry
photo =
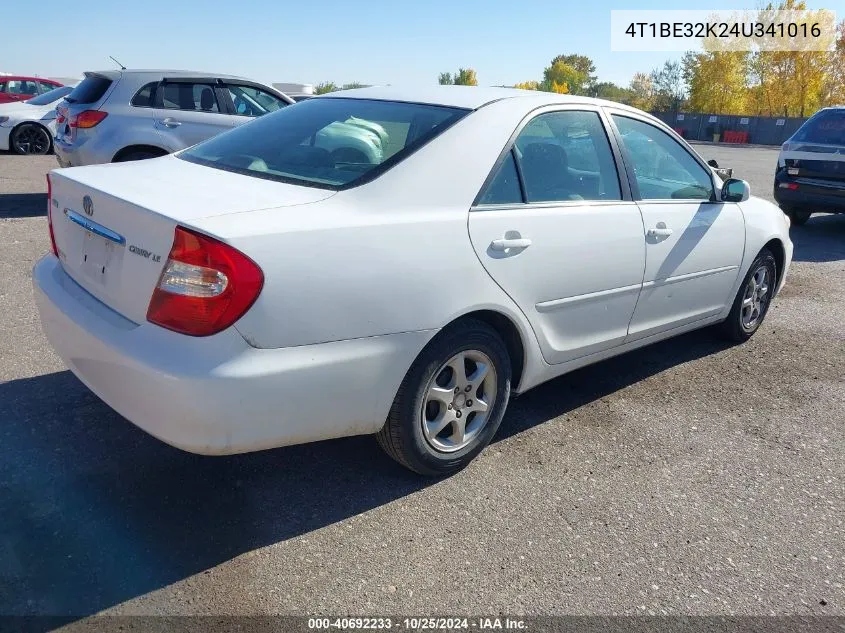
[565, 156]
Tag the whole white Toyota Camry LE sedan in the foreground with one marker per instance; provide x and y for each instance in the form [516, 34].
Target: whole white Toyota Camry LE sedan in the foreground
[252, 292]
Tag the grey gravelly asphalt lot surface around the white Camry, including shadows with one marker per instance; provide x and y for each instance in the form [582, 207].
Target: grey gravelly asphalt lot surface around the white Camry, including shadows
[687, 478]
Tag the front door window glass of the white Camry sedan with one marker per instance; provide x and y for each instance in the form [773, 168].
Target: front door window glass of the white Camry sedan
[663, 169]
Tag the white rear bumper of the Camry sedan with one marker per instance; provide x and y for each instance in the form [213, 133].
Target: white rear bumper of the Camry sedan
[218, 395]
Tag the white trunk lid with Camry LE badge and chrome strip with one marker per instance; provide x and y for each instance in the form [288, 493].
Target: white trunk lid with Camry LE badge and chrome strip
[114, 224]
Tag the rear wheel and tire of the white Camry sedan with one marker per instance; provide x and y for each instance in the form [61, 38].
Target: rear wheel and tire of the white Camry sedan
[422, 404]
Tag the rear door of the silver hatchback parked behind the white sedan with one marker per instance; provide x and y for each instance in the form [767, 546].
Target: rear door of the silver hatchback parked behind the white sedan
[189, 111]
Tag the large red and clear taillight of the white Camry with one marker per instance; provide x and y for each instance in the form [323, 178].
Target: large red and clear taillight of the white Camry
[206, 285]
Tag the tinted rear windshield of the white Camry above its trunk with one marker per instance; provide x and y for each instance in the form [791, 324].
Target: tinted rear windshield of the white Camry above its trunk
[332, 143]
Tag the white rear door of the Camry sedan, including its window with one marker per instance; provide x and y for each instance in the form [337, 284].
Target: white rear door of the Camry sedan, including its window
[556, 228]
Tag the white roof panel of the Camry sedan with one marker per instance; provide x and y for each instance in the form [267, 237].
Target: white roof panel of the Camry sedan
[469, 97]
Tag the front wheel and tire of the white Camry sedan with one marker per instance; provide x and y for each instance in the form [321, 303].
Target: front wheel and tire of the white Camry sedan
[752, 300]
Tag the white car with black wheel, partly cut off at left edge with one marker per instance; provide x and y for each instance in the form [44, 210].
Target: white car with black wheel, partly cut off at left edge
[28, 127]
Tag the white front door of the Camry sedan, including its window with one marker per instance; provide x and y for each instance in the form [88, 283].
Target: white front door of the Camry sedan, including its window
[694, 243]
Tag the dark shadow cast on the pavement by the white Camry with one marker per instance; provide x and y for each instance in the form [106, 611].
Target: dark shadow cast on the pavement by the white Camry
[95, 512]
